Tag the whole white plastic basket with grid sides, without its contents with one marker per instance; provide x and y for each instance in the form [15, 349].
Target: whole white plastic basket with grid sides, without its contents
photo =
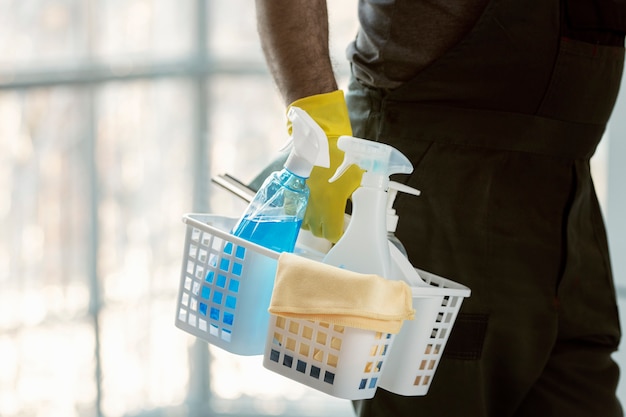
[225, 289]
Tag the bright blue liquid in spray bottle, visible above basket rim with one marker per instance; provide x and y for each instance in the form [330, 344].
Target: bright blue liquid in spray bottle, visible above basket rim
[276, 233]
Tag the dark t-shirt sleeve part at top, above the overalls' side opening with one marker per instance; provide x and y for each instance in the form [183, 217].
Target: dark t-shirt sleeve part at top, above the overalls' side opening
[398, 38]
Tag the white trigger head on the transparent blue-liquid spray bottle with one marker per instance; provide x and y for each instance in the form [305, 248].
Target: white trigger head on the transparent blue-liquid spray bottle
[309, 144]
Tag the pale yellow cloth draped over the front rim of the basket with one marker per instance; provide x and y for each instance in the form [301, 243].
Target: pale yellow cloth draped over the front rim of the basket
[306, 289]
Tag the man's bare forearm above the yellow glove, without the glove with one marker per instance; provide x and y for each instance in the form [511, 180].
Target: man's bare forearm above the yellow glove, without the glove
[294, 37]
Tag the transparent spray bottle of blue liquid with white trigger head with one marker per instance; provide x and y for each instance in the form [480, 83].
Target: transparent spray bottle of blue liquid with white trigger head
[274, 216]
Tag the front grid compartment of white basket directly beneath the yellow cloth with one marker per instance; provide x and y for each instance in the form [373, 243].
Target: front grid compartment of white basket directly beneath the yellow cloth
[341, 361]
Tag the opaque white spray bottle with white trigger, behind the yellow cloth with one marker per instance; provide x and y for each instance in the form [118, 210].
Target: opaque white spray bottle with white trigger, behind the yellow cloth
[364, 246]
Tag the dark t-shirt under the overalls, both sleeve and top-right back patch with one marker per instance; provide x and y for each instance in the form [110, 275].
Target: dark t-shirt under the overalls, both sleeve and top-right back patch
[398, 38]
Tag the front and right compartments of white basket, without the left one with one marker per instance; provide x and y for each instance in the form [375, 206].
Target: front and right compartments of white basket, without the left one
[351, 363]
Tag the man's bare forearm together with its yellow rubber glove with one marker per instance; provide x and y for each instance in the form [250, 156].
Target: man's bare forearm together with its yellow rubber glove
[294, 36]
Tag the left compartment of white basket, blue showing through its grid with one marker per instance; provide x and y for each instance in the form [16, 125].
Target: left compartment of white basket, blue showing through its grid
[225, 286]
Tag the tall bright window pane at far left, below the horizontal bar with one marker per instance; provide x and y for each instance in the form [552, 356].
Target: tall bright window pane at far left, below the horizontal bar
[46, 337]
